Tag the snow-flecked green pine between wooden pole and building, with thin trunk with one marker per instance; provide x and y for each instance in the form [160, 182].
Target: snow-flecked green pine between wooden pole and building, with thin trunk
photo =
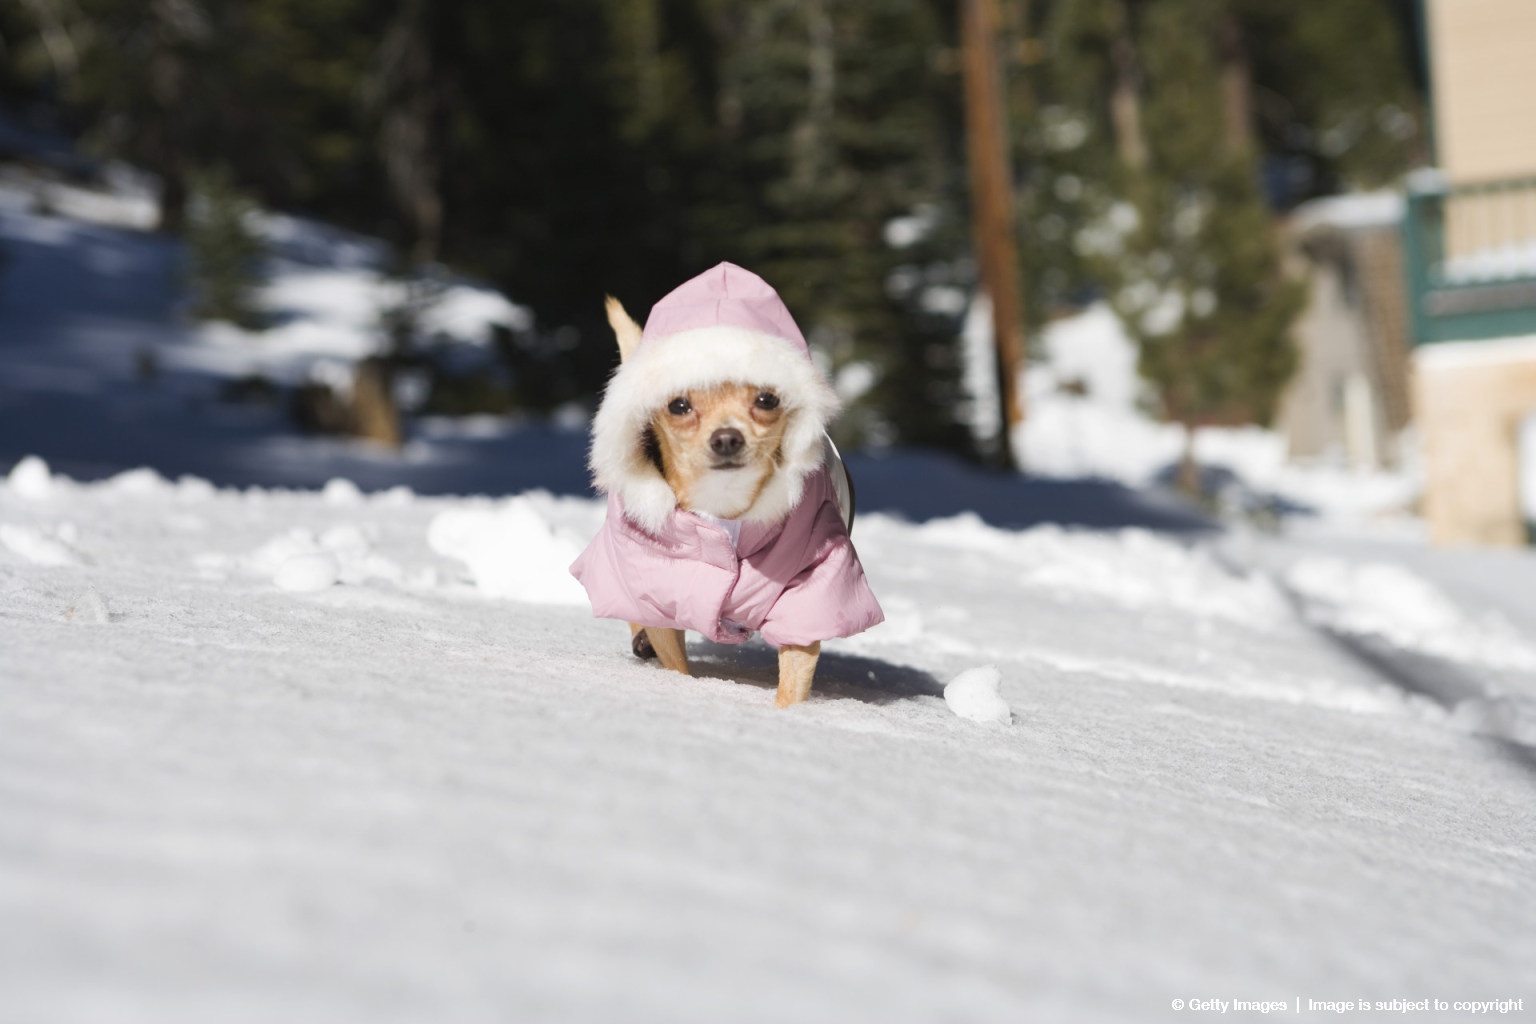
[1199, 283]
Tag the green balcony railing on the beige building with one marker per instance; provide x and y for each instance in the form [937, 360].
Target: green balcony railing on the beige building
[1471, 259]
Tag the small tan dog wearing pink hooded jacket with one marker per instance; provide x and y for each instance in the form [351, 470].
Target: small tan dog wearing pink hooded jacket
[752, 529]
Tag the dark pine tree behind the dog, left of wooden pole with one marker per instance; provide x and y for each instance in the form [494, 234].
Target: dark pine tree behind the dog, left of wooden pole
[836, 122]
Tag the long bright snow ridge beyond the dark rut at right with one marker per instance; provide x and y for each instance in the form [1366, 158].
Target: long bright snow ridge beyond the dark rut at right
[1391, 603]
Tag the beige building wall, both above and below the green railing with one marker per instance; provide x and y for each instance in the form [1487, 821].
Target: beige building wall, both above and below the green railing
[1472, 397]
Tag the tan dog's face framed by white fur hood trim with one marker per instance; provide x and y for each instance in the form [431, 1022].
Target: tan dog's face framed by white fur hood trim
[720, 446]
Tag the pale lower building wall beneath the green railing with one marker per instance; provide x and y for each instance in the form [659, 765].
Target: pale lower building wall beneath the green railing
[1472, 400]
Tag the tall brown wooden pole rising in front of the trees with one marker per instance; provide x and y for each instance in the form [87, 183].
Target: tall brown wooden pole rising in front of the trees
[993, 208]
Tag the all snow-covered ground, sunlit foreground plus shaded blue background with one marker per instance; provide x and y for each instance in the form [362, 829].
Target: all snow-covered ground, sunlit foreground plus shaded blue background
[279, 748]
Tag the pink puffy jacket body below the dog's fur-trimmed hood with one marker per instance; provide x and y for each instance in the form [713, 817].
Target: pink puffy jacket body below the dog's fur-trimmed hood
[798, 581]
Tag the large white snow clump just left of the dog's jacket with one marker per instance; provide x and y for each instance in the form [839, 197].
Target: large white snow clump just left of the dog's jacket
[511, 550]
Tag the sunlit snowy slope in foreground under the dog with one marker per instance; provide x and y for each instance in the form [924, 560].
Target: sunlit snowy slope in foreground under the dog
[227, 796]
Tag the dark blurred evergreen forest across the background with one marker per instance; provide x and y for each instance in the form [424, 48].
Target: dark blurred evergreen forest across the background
[564, 150]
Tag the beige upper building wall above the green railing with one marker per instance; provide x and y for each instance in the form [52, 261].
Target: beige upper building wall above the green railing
[1483, 59]
